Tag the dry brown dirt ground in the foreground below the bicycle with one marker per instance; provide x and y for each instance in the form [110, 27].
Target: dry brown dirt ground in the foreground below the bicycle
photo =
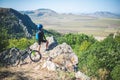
[31, 71]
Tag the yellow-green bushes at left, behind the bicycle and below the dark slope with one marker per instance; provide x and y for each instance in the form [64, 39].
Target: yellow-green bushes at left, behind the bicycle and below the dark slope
[6, 41]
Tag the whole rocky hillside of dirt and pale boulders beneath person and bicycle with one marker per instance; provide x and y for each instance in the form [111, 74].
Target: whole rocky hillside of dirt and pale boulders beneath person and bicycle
[56, 64]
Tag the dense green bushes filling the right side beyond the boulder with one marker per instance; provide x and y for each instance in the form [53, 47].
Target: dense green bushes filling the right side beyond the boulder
[97, 59]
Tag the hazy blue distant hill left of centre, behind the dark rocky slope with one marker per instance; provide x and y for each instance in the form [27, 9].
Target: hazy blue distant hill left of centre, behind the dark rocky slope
[40, 12]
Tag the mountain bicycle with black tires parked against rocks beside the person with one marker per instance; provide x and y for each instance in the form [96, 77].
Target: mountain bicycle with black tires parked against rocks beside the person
[16, 56]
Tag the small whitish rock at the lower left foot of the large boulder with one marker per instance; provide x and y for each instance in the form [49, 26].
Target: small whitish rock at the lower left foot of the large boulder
[50, 66]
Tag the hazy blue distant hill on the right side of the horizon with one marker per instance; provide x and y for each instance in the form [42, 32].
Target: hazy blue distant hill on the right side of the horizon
[103, 14]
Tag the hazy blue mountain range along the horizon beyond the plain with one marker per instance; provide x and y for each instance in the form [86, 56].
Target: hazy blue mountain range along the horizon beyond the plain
[49, 12]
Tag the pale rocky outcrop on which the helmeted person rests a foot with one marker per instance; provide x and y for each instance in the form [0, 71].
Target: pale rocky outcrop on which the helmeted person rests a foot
[60, 56]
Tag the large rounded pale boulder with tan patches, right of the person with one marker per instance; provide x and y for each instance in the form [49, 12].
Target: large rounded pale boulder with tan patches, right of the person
[64, 57]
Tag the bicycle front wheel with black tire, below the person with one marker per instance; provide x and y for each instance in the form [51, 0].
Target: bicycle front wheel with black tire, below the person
[35, 56]
